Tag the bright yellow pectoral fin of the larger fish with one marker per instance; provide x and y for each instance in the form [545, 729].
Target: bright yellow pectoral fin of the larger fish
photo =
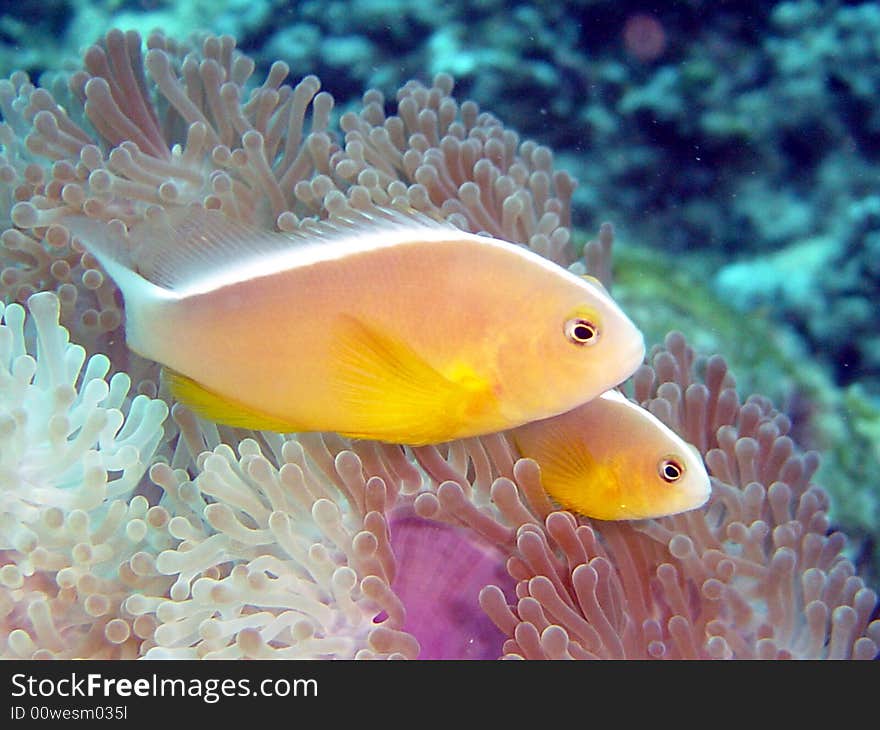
[393, 394]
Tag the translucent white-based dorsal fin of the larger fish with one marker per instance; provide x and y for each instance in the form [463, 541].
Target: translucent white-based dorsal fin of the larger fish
[191, 249]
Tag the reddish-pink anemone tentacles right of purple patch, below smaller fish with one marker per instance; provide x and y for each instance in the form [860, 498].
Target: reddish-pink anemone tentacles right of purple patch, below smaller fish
[755, 574]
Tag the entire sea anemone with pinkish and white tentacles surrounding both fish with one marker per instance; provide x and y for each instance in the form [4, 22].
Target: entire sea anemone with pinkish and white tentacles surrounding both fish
[246, 544]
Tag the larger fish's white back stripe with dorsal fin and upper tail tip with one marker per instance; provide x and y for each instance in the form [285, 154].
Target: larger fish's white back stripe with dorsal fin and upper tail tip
[192, 251]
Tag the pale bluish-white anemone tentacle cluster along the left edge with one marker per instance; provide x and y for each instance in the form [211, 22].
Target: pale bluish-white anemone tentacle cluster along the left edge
[73, 531]
